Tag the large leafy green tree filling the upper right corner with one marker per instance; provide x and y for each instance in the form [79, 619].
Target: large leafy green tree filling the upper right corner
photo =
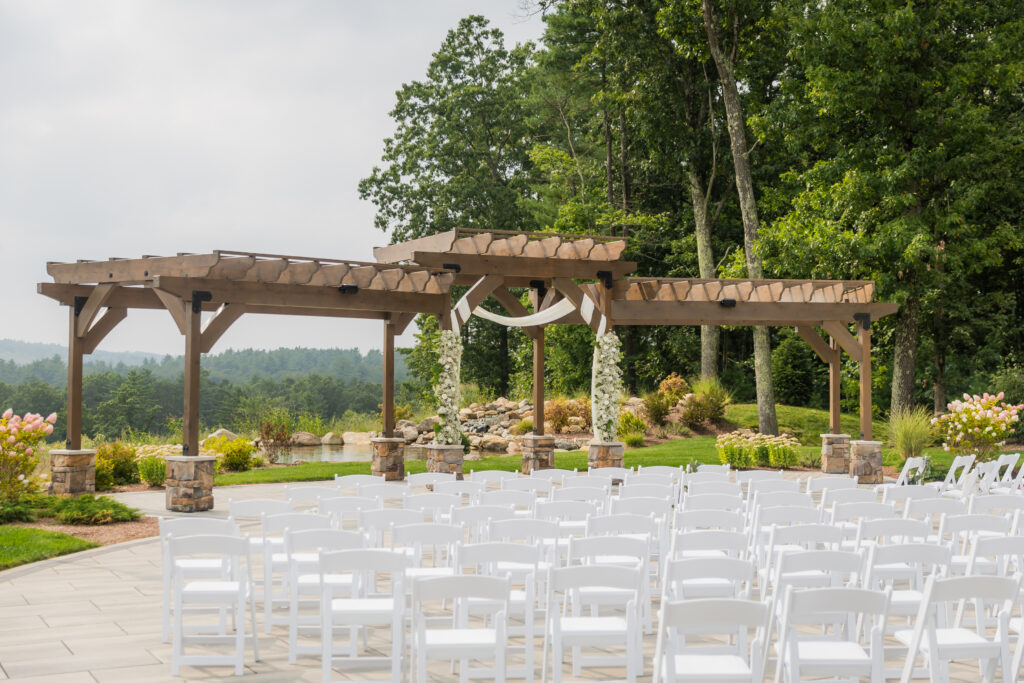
[915, 152]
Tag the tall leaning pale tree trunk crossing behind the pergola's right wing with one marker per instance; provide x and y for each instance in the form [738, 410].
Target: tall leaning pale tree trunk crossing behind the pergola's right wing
[767, 421]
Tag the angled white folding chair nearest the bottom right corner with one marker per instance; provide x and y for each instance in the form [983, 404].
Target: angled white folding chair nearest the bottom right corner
[940, 643]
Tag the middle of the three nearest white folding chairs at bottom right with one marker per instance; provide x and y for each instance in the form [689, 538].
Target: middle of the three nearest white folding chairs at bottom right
[837, 655]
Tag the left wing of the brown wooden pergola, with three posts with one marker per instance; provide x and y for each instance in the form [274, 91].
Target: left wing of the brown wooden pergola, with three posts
[230, 285]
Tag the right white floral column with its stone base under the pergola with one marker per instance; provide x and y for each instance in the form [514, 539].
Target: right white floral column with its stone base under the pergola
[607, 387]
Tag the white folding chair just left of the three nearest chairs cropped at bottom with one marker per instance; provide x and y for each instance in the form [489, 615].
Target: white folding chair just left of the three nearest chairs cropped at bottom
[568, 627]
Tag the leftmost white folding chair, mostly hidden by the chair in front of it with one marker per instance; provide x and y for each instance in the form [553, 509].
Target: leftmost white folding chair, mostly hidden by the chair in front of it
[203, 568]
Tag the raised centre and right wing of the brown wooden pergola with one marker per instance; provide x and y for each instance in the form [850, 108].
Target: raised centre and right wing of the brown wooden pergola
[492, 262]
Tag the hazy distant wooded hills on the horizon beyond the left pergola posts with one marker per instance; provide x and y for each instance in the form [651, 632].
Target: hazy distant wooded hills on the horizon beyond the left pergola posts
[26, 362]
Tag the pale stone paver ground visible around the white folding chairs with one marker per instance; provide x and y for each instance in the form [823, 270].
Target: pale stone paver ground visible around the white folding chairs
[95, 618]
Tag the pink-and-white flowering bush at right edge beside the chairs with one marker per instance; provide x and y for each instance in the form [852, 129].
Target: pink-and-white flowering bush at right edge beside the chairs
[977, 424]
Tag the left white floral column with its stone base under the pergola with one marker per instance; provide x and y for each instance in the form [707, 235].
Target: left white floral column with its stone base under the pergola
[446, 454]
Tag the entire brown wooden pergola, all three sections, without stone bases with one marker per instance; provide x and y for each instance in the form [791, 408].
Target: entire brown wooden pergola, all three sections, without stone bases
[580, 279]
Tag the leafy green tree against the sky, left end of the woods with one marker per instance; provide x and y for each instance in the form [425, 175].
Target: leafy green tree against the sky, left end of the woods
[458, 158]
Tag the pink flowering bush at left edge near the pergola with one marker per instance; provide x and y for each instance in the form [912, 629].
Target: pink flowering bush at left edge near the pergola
[21, 439]
